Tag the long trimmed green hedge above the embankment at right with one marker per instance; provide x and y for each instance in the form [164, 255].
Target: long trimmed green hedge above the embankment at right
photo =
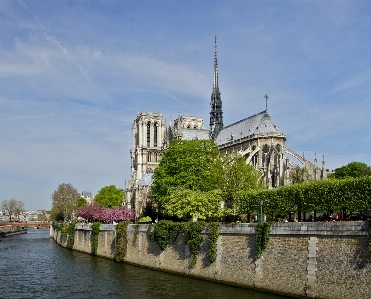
[325, 195]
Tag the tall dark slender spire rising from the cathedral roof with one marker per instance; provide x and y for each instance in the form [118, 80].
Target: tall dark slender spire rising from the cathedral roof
[216, 113]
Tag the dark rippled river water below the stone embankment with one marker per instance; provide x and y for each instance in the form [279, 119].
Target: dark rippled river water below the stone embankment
[33, 266]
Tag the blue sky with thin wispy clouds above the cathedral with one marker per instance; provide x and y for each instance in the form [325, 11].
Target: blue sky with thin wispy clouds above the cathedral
[75, 73]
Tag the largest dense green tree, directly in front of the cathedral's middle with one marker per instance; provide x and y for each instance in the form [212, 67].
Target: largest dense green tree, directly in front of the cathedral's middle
[187, 165]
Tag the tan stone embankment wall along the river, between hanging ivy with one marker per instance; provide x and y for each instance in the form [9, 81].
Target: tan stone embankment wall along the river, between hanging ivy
[302, 260]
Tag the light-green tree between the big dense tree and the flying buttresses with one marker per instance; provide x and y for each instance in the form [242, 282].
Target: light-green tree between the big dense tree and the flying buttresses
[237, 176]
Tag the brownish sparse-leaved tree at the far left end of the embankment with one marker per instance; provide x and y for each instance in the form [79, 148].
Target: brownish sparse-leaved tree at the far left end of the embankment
[64, 202]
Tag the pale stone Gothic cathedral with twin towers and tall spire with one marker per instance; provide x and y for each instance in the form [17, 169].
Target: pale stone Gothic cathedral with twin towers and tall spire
[257, 138]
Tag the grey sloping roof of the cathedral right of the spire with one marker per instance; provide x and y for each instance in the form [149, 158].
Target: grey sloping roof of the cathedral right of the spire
[260, 123]
